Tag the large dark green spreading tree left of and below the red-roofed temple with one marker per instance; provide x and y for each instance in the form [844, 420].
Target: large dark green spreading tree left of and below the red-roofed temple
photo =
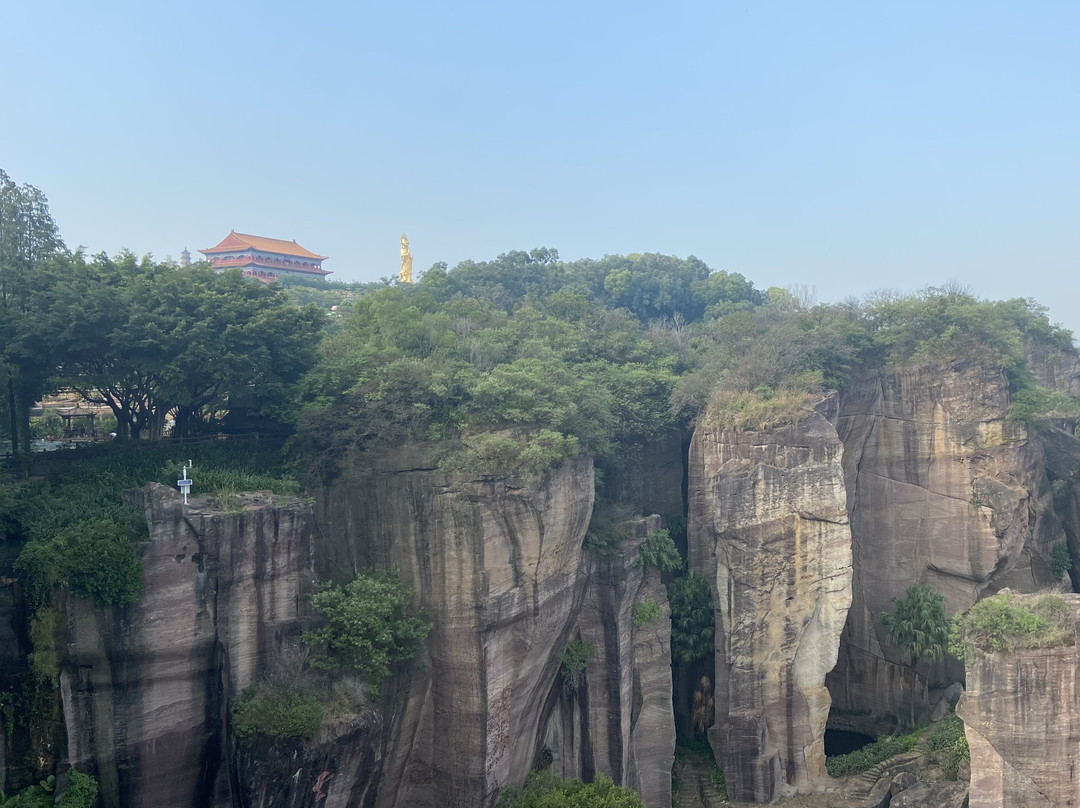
[148, 339]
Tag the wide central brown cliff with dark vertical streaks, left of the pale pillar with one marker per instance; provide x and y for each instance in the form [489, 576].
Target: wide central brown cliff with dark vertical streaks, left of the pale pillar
[499, 568]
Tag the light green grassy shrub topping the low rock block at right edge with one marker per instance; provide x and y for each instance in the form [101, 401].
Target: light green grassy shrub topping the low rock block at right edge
[1003, 624]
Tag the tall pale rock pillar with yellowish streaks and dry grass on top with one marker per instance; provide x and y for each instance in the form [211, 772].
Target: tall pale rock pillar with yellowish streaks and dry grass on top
[769, 531]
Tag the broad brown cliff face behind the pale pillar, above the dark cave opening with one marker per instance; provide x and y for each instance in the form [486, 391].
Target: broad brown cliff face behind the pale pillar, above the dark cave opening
[942, 491]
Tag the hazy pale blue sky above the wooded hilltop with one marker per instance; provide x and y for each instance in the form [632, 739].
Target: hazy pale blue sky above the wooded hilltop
[845, 146]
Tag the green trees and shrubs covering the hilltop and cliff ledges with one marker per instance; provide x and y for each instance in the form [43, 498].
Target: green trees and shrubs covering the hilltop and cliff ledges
[508, 369]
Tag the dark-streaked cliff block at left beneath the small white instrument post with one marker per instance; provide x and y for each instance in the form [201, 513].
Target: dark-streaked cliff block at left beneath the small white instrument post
[146, 690]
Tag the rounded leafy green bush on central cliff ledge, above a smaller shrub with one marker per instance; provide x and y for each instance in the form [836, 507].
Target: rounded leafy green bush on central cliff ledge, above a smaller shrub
[368, 627]
